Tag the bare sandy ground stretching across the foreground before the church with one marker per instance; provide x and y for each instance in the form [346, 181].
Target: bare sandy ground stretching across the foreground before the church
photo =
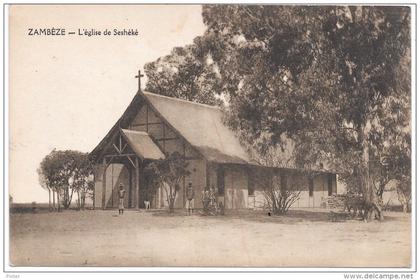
[304, 238]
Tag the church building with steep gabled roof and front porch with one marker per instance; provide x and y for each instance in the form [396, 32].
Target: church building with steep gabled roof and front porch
[154, 126]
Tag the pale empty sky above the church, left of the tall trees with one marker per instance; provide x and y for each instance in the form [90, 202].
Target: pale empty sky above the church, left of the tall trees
[66, 92]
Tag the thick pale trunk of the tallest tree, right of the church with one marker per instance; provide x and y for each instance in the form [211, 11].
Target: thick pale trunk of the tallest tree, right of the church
[371, 198]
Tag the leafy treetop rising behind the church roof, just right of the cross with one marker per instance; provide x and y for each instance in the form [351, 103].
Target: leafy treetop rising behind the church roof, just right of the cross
[184, 74]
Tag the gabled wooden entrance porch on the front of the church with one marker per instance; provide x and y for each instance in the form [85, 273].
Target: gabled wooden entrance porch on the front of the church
[122, 162]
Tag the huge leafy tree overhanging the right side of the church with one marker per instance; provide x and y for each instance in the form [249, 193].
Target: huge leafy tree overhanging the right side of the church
[323, 76]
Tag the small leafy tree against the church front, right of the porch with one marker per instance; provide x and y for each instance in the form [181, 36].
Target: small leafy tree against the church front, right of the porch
[168, 174]
